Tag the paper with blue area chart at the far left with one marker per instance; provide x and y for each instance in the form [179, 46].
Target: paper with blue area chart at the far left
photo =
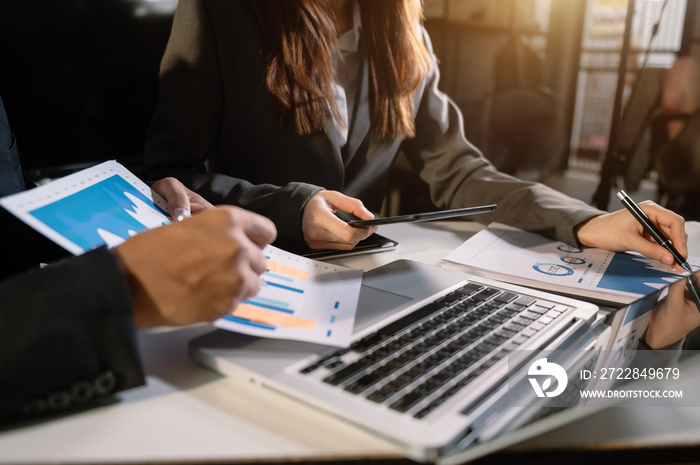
[104, 204]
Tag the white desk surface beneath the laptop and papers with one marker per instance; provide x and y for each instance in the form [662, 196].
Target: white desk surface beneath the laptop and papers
[187, 413]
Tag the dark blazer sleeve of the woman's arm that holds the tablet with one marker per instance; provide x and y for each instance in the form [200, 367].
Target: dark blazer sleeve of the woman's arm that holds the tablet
[188, 121]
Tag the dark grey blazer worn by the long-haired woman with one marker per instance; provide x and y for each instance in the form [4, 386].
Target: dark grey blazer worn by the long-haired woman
[214, 110]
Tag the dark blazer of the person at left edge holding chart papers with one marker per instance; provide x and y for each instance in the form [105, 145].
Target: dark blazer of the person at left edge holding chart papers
[67, 335]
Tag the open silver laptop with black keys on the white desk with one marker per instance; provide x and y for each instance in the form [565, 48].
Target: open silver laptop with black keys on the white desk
[431, 362]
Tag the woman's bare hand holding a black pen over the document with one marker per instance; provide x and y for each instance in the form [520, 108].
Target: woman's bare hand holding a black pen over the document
[621, 232]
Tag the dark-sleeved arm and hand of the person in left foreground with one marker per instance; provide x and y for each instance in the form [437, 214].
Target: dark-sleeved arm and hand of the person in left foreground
[67, 331]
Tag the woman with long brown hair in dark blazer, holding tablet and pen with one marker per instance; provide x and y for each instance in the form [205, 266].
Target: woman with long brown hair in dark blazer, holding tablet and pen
[296, 109]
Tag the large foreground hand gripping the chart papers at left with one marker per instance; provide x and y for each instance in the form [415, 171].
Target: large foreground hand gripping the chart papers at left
[197, 269]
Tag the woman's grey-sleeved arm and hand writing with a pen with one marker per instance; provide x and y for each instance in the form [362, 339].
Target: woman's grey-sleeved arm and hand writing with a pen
[460, 176]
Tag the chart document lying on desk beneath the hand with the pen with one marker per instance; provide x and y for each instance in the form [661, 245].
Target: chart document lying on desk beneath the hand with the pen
[511, 255]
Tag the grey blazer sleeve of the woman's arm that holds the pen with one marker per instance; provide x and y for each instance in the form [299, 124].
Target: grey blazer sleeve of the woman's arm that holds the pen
[460, 176]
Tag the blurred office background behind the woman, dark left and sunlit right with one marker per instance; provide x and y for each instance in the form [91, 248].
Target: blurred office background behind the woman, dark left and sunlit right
[567, 92]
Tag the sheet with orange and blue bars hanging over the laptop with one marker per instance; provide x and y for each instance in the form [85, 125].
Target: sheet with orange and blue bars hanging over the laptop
[300, 299]
